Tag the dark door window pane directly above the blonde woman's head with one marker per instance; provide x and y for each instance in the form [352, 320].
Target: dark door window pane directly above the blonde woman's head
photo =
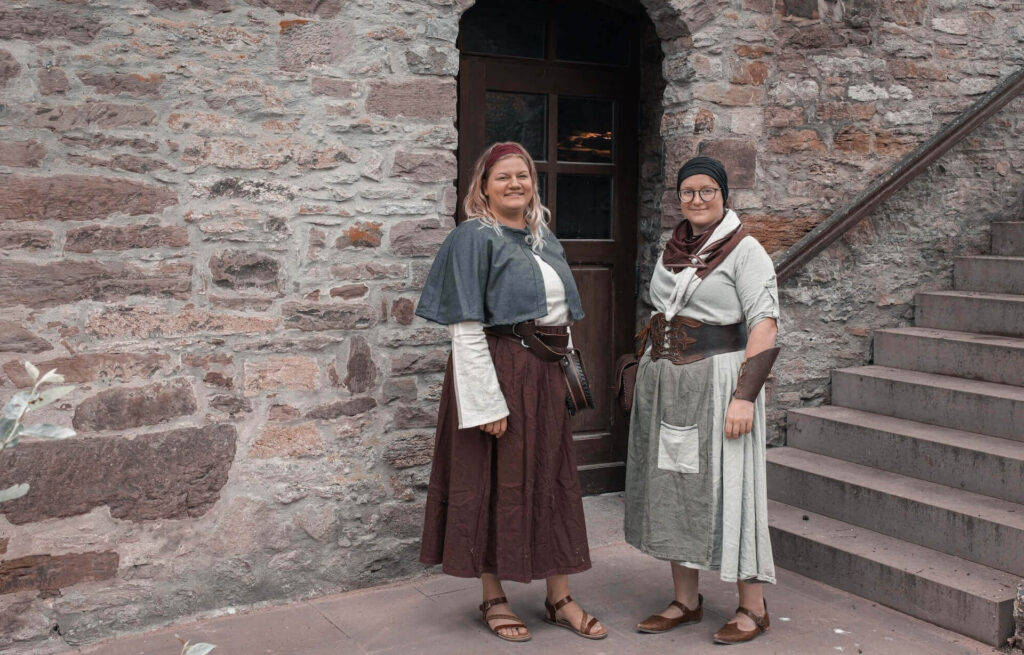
[518, 117]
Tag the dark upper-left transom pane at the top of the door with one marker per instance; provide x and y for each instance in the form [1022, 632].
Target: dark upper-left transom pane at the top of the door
[498, 27]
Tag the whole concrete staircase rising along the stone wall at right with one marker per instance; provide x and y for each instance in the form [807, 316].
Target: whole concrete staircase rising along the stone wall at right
[909, 490]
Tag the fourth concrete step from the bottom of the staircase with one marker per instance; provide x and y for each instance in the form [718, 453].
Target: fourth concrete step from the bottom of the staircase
[973, 406]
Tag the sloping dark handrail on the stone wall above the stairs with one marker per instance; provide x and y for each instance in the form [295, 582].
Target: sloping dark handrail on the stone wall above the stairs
[915, 163]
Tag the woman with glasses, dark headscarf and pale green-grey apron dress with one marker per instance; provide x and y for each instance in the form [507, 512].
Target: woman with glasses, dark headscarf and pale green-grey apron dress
[696, 491]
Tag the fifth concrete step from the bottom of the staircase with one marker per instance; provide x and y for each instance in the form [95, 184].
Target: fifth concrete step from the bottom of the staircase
[964, 355]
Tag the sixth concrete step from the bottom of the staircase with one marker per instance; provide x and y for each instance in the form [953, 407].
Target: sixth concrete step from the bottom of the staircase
[971, 312]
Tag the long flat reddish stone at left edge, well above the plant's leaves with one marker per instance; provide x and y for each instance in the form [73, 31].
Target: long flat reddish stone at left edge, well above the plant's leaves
[68, 282]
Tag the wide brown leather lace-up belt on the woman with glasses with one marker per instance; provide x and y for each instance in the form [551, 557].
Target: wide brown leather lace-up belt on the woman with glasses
[682, 340]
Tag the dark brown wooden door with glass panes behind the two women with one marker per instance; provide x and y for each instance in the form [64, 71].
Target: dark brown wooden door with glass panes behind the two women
[562, 78]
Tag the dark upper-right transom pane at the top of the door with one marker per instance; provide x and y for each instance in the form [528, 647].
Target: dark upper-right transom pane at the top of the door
[591, 33]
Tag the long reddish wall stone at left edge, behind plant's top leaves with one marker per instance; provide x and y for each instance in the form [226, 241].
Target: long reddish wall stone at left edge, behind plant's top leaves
[89, 368]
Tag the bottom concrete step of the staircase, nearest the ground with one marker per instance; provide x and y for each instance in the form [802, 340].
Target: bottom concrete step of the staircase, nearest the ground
[962, 596]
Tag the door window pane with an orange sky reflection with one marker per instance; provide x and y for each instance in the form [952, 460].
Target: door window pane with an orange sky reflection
[585, 129]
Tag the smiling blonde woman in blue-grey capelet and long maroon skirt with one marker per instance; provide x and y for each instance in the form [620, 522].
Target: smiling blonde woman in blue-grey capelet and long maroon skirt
[504, 501]
